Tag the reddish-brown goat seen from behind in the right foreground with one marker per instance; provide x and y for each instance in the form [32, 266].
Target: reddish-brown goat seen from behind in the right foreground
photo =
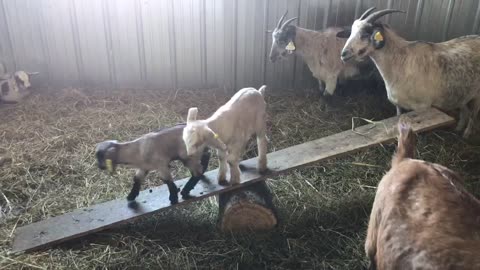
[422, 217]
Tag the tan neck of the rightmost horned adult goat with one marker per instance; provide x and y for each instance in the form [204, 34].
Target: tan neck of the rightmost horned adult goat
[390, 59]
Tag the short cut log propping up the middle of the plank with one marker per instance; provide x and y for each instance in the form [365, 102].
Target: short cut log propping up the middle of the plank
[247, 208]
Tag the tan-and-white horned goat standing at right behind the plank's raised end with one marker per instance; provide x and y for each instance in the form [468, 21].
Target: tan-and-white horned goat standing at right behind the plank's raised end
[419, 75]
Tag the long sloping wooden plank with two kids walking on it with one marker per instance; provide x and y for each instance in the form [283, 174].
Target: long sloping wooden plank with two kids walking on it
[105, 215]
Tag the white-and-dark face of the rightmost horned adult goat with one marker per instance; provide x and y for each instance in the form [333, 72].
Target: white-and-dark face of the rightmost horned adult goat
[358, 45]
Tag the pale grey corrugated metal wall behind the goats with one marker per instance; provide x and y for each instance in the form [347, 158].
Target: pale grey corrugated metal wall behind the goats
[172, 44]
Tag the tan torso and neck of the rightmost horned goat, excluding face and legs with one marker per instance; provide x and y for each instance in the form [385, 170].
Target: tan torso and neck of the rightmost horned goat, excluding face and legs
[421, 74]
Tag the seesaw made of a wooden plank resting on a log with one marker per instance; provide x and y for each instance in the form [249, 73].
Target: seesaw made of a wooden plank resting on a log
[247, 205]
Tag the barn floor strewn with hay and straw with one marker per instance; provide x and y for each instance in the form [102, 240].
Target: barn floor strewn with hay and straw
[324, 209]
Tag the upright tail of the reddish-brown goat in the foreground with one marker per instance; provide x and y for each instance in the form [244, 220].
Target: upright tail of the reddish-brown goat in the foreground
[406, 142]
